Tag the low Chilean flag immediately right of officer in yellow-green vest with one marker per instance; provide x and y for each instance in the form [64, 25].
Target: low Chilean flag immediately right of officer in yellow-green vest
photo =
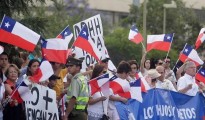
[96, 83]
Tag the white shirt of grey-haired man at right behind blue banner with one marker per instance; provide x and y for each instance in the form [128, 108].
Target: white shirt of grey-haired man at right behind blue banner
[185, 81]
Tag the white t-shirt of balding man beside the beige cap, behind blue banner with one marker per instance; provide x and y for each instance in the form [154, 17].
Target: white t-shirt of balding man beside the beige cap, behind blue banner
[166, 84]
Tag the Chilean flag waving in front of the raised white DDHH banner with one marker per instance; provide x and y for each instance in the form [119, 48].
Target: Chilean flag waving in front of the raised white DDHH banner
[84, 42]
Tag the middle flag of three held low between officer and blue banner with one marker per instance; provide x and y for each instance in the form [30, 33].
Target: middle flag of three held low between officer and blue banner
[118, 85]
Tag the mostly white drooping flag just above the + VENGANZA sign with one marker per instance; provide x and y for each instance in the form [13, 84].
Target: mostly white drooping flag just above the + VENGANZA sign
[42, 73]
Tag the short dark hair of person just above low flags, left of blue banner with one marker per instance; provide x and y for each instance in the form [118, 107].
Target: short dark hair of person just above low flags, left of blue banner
[123, 67]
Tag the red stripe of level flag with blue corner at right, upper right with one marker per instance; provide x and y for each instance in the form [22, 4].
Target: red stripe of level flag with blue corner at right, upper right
[159, 45]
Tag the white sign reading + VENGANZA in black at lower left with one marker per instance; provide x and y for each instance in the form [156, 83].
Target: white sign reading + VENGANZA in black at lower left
[42, 105]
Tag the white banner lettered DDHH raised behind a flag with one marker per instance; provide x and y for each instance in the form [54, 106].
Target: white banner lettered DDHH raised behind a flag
[95, 30]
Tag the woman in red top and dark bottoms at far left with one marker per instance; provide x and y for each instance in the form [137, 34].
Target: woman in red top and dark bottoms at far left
[14, 109]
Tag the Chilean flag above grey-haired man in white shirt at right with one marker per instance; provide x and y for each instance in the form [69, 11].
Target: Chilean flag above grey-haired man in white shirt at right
[190, 53]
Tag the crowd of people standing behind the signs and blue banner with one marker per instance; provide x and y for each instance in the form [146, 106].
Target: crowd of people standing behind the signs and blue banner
[71, 85]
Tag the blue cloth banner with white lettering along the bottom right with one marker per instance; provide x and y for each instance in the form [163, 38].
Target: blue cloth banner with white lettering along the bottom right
[161, 104]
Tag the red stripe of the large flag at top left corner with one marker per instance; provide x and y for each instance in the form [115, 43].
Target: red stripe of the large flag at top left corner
[15, 40]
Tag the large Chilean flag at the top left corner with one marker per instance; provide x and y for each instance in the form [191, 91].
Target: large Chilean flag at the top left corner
[13, 32]
